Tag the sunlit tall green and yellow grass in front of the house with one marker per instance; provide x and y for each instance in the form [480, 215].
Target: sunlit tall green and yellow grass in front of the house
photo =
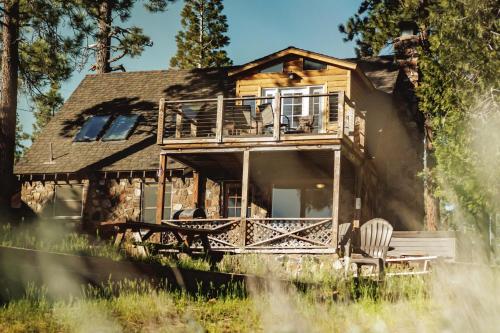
[457, 298]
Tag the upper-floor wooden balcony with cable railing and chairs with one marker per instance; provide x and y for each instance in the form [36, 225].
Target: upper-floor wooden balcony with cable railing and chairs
[268, 119]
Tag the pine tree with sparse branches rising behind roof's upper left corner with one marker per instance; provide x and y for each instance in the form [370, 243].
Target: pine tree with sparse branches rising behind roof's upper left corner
[110, 41]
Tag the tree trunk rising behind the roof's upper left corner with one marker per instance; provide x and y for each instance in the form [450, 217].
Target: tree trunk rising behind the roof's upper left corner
[103, 39]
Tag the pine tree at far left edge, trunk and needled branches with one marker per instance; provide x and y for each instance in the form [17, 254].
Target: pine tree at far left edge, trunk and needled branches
[34, 54]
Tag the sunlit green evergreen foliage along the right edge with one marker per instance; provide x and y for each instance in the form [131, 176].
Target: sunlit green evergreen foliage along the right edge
[458, 91]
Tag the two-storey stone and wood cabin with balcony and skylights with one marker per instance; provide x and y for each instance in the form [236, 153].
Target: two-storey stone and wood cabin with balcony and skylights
[278, 151]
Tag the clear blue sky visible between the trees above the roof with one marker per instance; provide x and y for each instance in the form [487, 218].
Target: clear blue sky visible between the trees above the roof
[256, 28]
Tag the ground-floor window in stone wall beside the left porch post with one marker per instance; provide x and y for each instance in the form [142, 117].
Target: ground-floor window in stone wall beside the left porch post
[149, 192]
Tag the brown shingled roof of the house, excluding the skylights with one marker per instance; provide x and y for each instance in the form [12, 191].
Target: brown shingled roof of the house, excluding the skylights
[138, 92]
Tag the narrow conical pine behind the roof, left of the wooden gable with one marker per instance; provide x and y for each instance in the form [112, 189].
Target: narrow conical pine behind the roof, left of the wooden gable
[200, 44]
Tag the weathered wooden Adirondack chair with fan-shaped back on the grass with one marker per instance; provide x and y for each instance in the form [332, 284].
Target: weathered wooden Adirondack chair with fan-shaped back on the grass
[374, 237]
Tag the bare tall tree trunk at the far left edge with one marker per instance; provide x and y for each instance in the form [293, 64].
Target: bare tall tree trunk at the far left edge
[8, 99]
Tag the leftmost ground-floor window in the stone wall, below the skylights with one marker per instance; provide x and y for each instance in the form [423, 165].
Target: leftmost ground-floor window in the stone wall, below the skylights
[67, 202]
